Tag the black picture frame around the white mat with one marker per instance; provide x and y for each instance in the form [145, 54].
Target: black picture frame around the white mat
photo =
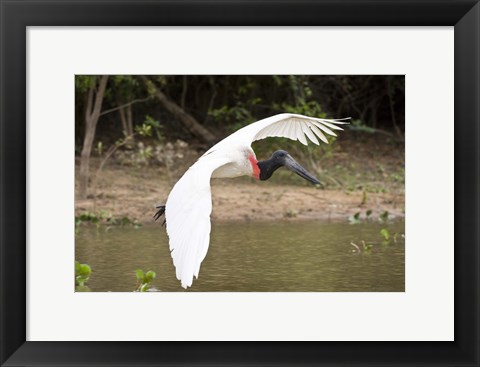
[16, 15]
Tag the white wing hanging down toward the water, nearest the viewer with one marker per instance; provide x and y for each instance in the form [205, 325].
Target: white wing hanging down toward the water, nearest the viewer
[187, 214]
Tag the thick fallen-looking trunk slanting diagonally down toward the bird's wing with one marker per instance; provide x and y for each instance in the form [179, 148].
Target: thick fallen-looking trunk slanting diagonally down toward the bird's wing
[189, 122]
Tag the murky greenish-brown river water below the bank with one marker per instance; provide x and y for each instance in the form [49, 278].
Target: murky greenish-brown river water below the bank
[252, 257]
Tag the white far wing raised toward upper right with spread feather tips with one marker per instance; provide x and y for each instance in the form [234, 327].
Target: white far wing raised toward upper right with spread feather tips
[286, 125]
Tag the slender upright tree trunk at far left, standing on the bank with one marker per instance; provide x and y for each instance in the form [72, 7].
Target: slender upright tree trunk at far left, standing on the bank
[92, 113]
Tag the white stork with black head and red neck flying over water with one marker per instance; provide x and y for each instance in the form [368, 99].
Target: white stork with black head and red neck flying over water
[188, 207]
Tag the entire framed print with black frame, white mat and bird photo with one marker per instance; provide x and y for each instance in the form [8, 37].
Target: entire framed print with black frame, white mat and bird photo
[56, 56]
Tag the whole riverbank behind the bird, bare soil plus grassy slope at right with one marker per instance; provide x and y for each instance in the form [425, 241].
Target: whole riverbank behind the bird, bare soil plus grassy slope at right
[358, 179]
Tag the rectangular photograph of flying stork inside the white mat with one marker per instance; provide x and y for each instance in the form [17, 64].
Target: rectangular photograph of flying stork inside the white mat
[239, 183]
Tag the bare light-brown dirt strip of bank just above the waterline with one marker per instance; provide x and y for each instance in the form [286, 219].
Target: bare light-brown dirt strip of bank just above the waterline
[133, 193]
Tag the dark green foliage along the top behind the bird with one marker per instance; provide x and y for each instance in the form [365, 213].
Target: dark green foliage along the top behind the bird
[223, 104]
